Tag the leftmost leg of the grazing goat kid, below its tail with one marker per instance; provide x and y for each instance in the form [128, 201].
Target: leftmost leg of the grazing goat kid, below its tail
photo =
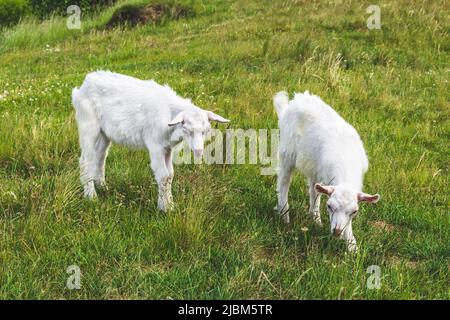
[283, 183]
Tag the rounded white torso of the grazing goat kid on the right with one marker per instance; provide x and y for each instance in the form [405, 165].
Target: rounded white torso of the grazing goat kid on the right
[319, 137]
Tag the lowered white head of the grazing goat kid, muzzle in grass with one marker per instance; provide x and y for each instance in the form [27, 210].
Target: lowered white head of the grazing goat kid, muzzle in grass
[342, 205]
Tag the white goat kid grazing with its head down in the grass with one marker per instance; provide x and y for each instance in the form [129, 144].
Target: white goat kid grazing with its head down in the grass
[326, 149]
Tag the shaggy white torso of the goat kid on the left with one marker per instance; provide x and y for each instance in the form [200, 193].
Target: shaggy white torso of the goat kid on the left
[127, 110]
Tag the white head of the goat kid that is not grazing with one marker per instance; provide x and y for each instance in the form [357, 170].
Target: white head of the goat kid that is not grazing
[195, 124]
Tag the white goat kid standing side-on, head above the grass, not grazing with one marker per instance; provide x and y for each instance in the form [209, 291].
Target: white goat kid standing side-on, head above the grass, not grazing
[136, 113]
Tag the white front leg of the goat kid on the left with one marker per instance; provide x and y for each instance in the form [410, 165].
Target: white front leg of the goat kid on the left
[162, 176]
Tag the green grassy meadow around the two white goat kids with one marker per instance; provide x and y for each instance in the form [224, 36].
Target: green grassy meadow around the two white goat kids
[223, 239]
